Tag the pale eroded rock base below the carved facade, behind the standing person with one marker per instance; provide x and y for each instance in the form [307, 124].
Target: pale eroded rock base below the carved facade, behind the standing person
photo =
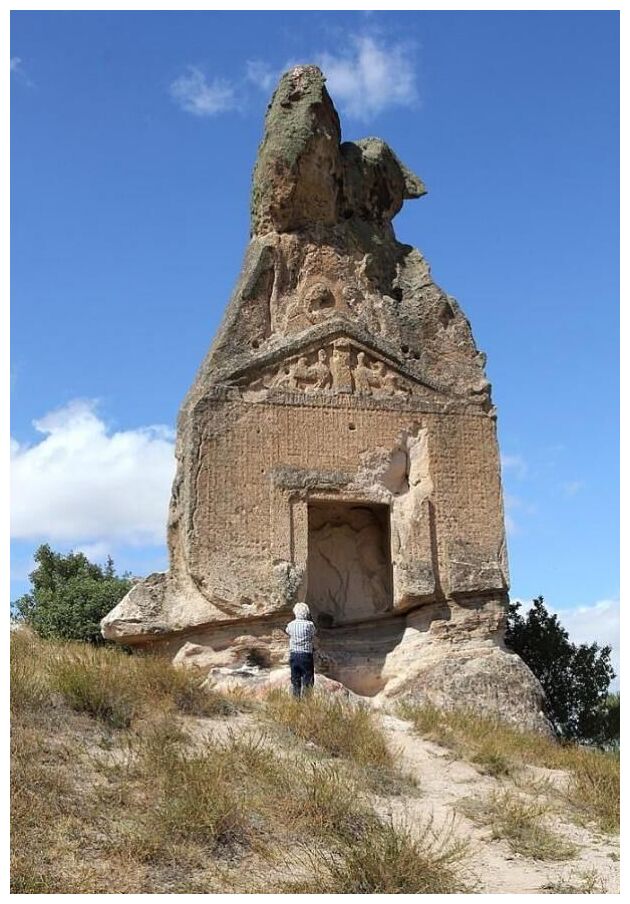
[448, 654]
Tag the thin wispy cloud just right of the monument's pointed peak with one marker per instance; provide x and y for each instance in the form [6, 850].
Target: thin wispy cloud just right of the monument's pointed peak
[370, 76]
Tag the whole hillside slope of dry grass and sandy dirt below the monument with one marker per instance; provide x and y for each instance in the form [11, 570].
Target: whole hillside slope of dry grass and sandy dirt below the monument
[128, 777]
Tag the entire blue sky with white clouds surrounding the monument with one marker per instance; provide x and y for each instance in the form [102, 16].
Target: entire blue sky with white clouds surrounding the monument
[133, 136]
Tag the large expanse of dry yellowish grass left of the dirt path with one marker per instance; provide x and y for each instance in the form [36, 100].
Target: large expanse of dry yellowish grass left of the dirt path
[112, 795]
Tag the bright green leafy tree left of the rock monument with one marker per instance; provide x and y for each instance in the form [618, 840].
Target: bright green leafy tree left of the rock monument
[69, 596]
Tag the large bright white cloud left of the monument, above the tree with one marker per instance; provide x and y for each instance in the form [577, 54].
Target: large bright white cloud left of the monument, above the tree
[86, 485]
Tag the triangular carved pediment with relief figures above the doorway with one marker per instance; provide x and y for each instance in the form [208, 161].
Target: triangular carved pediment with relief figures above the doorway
[339, 365]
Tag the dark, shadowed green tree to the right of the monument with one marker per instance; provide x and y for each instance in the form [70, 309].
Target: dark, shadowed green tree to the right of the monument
[575, 678]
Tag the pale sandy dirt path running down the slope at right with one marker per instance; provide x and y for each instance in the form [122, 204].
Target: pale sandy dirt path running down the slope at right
[444, 781]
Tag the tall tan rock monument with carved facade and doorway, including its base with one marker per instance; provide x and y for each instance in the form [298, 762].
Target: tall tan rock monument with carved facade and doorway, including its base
[338, 446]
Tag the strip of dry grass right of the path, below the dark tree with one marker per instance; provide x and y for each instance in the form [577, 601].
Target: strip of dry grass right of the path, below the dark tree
[496, 748]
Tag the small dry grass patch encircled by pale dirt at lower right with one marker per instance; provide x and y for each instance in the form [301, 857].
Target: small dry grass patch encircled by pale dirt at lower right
[519, 822]
